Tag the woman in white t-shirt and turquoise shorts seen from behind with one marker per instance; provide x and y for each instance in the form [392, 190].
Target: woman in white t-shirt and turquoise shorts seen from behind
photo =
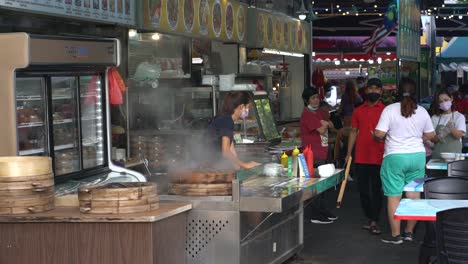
[402, 125]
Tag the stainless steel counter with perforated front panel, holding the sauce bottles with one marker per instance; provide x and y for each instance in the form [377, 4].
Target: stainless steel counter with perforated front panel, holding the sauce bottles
[262, 222]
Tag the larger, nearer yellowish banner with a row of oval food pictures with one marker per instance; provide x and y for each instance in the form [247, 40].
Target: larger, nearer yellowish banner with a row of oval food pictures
[216, 19]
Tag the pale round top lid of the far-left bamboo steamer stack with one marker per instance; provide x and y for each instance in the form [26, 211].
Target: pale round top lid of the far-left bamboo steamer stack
[25, 166]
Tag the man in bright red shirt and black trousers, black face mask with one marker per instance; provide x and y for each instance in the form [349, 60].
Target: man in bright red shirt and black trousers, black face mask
[368, 153]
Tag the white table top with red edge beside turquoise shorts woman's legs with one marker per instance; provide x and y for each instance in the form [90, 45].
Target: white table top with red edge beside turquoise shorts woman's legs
[425, 209]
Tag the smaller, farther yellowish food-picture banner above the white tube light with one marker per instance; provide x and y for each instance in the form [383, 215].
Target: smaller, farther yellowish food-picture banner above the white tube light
[277, 31]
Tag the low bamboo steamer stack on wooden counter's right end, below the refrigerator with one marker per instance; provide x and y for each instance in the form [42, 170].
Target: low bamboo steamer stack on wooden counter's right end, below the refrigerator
[118, 198]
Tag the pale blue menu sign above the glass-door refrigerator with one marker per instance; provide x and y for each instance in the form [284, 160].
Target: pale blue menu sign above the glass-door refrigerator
[106, 11]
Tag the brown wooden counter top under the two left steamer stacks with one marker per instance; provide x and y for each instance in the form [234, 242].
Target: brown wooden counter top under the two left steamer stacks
[72, 214]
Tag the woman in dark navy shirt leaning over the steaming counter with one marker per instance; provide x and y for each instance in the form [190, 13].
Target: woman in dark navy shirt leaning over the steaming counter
[221, 130]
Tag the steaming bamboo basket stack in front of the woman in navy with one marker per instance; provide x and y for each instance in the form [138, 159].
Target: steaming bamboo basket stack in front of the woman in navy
[201, 181]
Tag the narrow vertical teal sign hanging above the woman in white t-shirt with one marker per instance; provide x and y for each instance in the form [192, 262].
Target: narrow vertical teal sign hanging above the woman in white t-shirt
[409, 25]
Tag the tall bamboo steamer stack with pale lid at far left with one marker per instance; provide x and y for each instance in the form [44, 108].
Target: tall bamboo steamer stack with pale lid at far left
[26, 185]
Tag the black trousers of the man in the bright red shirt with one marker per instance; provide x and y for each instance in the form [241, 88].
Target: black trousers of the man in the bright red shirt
[370, 190]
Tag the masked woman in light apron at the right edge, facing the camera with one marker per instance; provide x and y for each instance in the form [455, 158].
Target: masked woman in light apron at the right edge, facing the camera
[449, 125]
